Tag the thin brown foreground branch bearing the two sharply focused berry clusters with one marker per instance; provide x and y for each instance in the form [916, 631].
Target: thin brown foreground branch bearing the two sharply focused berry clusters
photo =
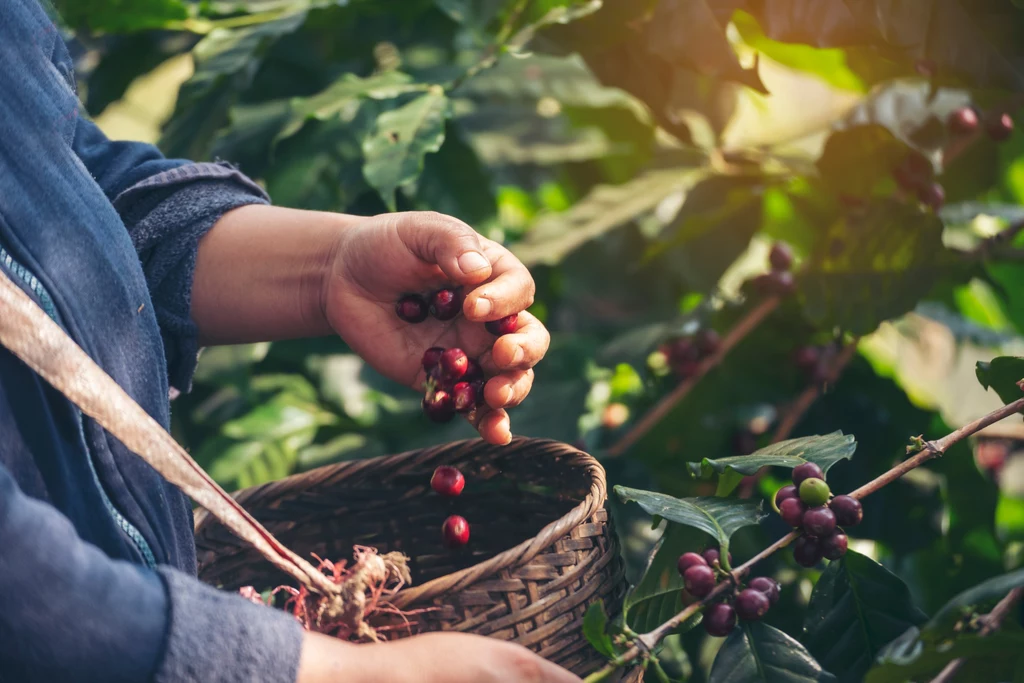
[929, 450]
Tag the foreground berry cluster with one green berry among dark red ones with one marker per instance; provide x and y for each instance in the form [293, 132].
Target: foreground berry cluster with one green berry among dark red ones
[808, 505]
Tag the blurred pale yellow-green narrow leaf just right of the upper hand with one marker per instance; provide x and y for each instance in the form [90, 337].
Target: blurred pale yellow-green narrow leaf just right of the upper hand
[606, 208]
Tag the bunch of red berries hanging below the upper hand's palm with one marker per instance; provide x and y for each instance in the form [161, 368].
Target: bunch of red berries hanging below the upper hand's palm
[455, 383]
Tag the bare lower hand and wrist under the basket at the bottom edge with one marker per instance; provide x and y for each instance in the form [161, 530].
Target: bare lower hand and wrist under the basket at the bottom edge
[436, 658]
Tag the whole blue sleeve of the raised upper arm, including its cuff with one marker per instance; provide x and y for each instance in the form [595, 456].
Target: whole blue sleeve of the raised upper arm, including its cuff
[167, 206]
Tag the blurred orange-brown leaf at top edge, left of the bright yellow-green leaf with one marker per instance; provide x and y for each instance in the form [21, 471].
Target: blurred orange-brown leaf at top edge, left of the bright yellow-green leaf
[692, 34]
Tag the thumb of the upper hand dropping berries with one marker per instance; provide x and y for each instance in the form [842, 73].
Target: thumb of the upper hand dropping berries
[447, 242]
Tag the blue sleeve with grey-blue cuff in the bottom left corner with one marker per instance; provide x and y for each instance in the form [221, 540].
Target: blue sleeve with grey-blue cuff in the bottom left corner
[68, 613]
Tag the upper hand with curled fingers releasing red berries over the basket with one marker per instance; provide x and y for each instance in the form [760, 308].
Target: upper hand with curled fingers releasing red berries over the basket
[379, 260]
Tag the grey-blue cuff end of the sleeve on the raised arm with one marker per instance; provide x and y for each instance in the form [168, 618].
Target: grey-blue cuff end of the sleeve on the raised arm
[166, 216]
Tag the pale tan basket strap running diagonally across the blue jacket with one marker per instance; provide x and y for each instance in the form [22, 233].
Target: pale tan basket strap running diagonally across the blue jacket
[32, 336]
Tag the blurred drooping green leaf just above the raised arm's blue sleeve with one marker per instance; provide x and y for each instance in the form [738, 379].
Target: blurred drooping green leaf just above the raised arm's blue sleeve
[227, 63]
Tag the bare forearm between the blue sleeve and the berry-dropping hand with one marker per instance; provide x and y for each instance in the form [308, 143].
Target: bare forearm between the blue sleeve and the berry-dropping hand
[260, 275]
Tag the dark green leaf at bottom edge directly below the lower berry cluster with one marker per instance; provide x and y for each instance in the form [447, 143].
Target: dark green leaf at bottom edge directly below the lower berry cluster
[756, 653]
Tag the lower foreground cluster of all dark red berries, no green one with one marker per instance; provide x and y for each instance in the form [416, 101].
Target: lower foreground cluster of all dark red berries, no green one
[701, 574]
